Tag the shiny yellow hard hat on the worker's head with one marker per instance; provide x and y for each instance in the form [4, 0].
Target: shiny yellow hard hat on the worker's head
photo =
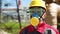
[38, 3]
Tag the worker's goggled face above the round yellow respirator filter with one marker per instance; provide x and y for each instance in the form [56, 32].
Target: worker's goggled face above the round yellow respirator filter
[37, 12]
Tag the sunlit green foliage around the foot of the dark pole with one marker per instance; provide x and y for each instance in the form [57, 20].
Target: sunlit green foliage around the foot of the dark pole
[12, 27]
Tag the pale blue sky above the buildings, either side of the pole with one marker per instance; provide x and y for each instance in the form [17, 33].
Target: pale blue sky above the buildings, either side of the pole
[12, 3]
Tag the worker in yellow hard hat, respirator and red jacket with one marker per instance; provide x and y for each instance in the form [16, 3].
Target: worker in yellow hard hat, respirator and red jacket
[38, 25]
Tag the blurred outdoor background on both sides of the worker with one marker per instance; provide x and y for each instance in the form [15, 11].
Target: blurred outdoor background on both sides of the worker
[14, 15]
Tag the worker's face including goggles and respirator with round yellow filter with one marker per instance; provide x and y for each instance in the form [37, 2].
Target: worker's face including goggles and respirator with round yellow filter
[36, 14]
